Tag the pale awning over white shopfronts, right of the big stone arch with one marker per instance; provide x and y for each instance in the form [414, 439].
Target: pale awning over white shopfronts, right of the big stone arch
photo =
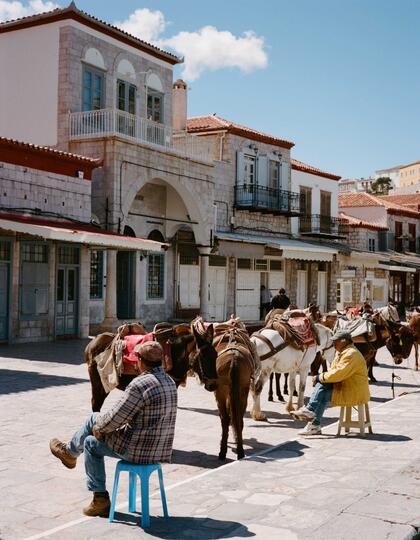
[291, 249]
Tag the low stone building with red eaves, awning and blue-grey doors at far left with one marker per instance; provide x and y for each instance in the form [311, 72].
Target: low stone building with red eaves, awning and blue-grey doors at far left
[51, 255]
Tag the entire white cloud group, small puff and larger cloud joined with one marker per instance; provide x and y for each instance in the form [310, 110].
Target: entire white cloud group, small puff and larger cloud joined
[206, 49]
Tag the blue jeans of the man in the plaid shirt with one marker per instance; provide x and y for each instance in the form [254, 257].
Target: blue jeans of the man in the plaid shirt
[95, 451]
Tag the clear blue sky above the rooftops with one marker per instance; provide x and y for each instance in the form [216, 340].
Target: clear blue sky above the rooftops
[342, 78]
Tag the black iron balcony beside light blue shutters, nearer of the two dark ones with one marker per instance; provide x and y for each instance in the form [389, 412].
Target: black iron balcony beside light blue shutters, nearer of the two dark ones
[268, 200]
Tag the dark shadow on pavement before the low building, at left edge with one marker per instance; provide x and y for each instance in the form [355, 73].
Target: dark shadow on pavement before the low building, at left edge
[60, 352]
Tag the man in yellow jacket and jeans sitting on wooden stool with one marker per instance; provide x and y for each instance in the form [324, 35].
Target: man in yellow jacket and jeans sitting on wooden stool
[345, 383]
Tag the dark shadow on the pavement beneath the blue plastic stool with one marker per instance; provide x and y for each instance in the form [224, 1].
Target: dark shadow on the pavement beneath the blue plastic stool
[183, 527]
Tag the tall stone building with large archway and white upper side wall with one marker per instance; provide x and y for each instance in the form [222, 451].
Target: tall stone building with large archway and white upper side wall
[108, 95]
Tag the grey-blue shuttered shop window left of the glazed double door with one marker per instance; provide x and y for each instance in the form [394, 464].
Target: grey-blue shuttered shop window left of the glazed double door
[34, 281]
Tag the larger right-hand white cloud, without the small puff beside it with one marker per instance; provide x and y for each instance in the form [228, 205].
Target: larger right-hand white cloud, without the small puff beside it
[212, 49]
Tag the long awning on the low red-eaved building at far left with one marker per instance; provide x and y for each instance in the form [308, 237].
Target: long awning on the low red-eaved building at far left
[75, 233]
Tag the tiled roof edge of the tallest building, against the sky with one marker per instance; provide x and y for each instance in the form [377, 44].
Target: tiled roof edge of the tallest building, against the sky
[72, 12]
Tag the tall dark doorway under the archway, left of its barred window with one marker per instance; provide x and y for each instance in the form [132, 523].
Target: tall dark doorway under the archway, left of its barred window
[126, 283]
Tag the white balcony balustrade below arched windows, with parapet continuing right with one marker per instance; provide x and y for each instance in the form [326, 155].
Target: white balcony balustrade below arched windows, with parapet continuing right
[108, 122]
